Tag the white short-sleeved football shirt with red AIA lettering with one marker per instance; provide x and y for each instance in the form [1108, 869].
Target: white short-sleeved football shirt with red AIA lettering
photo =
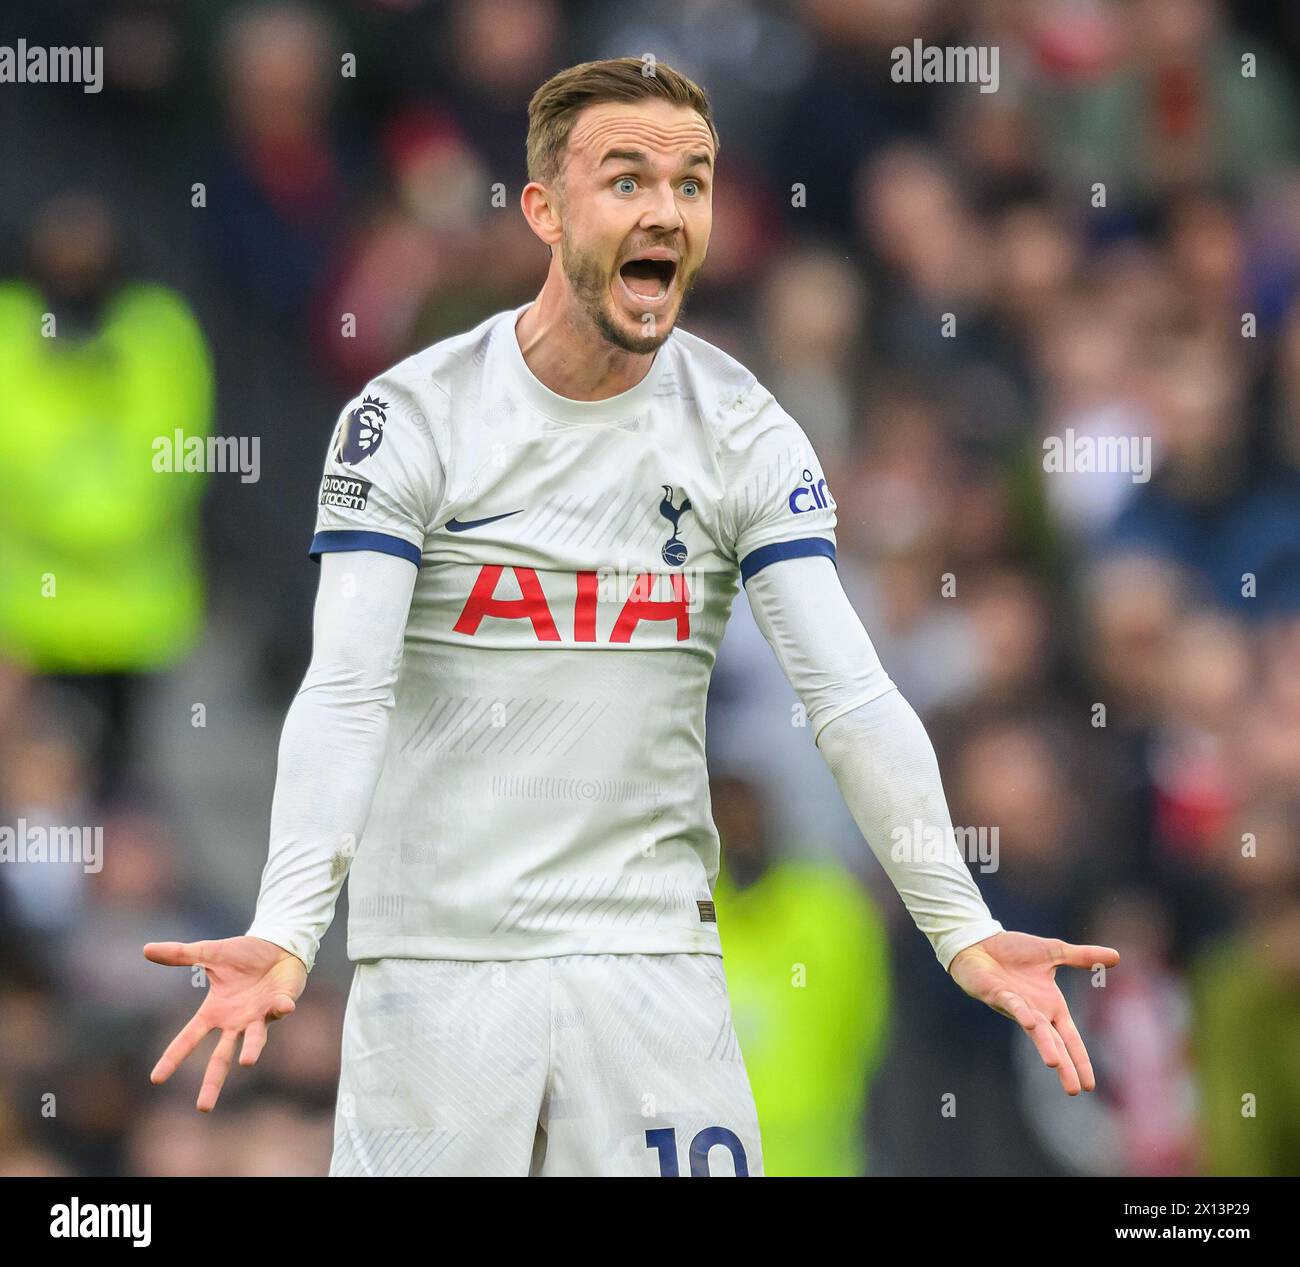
[544, 789]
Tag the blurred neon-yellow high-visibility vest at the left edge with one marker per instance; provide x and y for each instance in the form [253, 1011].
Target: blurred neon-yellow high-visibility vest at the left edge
[99, 552]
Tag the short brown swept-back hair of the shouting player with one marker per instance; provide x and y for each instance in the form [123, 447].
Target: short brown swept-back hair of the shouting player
[558, 103]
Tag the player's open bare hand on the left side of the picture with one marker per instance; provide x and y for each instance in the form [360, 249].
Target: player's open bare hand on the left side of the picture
[252, 983]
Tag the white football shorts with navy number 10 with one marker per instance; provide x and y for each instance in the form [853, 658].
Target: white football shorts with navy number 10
[578, 1065]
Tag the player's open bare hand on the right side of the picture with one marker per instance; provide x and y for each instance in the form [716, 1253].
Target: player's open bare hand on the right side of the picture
[1016, 975]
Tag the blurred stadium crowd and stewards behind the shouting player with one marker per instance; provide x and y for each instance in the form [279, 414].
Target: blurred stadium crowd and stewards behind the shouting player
[148, 696]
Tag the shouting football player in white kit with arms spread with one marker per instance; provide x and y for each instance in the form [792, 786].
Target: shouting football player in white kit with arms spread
[530, 540]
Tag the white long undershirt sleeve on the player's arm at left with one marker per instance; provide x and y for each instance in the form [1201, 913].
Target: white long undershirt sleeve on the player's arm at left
[332, 748]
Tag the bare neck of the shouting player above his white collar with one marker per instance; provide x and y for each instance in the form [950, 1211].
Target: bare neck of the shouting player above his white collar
[569, 354]
